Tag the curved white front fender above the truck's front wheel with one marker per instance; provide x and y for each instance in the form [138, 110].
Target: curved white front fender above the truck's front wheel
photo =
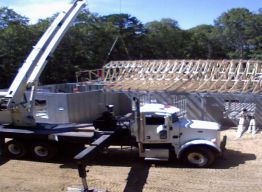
[185, 146]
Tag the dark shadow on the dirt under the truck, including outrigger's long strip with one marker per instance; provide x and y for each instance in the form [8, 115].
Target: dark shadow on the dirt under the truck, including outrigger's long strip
[139, 169]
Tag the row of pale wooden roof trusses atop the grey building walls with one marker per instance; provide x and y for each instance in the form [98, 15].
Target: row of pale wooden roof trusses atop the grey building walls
[230, 76]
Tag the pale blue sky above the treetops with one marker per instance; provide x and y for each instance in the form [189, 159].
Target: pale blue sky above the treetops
[188, 13]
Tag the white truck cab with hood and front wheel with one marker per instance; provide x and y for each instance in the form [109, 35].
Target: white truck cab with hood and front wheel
[160, 133]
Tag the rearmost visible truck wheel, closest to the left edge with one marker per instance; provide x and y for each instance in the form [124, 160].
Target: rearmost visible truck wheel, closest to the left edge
[15, 149]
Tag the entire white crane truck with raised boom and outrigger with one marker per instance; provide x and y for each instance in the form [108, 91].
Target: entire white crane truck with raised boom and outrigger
[155, 129]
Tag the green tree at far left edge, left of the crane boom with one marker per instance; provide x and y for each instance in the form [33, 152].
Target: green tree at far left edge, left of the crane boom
[15, 43]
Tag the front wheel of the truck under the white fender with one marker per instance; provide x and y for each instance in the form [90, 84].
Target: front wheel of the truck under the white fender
[198, 157]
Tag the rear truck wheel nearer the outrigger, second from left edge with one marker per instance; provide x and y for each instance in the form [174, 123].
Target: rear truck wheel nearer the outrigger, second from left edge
[42, 151]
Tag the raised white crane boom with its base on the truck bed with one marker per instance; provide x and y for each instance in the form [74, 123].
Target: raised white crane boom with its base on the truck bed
[15, 108]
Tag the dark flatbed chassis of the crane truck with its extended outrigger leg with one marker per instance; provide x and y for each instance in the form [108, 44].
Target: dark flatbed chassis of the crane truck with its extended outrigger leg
[47, 136]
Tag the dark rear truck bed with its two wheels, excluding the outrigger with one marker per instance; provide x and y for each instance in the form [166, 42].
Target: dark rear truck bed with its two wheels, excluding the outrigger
[19, 142]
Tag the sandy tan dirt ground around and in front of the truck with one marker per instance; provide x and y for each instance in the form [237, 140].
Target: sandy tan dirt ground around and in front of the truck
[239, 170]
